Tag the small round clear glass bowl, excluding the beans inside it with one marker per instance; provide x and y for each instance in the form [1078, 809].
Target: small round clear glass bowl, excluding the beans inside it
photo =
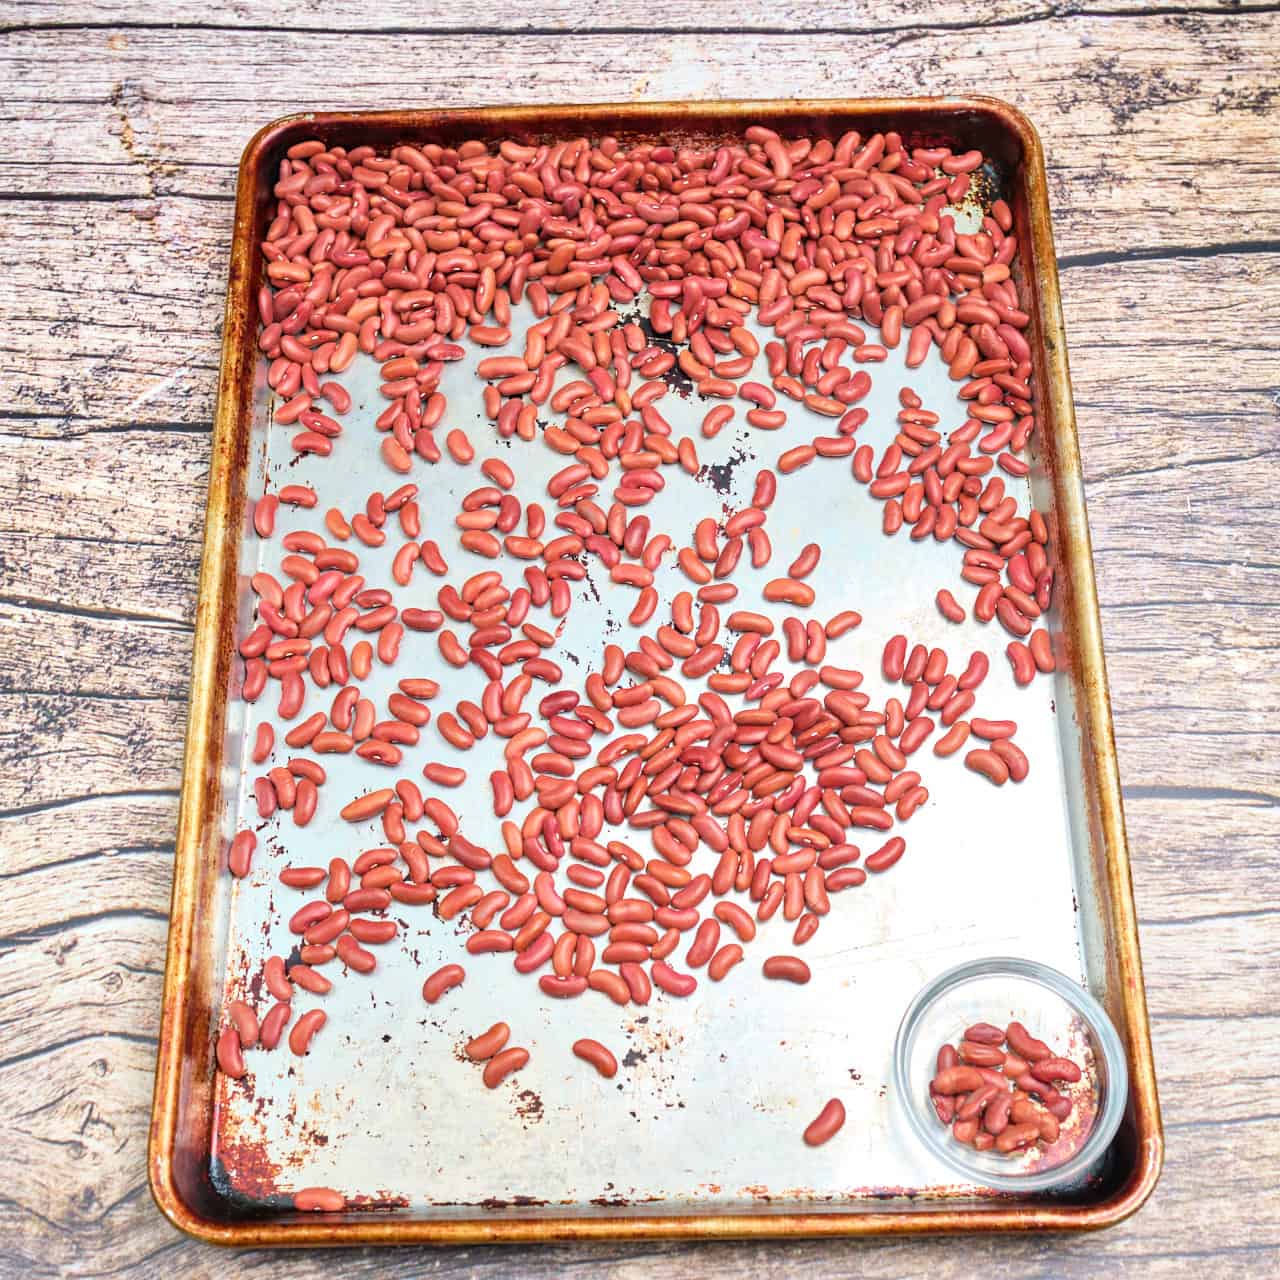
[1054, 1009]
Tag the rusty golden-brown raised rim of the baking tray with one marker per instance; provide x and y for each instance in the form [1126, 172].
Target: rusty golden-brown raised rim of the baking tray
[180, 1158]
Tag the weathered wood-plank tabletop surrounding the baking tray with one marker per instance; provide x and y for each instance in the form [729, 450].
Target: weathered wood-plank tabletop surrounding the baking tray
[125, 124]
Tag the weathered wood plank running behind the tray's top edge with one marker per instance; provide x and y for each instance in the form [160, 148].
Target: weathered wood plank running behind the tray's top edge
[1123, 102]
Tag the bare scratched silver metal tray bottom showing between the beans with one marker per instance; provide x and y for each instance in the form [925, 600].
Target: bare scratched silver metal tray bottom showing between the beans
[714, 1092]
